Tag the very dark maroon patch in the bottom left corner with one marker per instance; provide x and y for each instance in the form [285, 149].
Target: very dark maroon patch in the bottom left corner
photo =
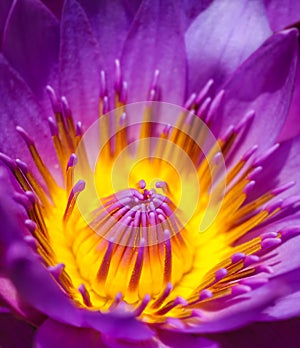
[15, 333]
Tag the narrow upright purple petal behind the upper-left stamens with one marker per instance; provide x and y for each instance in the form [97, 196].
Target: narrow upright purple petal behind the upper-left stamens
[79, 63]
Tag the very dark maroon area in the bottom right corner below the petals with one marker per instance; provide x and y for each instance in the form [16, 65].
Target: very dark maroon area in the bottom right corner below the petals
[276, 335]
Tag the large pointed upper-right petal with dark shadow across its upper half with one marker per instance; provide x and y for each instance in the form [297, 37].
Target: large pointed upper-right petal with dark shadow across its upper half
[264, 85]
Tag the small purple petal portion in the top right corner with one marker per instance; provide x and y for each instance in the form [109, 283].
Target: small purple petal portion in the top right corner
[282, 13]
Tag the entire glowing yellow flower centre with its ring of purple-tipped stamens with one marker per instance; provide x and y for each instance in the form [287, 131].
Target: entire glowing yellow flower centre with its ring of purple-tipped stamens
[148, 217]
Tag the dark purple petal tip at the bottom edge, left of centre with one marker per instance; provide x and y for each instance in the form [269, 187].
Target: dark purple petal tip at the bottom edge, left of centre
[54, 334]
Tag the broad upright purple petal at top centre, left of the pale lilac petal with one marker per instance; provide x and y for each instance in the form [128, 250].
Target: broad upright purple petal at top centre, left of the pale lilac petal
[155, 41]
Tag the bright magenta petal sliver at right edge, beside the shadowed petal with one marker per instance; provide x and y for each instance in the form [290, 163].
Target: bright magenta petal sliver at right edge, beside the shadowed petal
[292, 126]
